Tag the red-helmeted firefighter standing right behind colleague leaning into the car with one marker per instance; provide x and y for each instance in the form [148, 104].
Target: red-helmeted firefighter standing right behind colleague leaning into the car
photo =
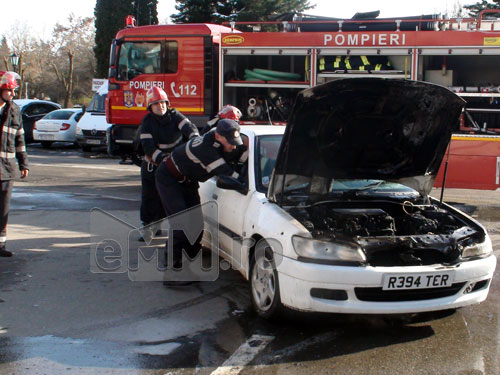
[161, 130]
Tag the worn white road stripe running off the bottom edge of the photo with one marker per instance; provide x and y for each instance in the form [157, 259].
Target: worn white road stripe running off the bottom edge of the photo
[243, 355]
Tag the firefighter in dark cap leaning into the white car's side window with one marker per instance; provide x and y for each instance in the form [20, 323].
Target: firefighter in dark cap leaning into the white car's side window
[178, 175]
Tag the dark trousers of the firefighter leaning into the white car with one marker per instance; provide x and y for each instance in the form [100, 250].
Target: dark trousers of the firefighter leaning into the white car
[186, 229]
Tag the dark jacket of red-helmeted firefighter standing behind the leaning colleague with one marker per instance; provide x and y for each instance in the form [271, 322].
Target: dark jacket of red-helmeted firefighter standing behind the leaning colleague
[159, 135]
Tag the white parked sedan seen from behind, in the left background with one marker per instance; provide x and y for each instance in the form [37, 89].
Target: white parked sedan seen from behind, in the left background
[57, 126]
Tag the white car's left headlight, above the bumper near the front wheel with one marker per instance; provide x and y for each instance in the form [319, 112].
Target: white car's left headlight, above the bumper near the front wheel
[327, 251]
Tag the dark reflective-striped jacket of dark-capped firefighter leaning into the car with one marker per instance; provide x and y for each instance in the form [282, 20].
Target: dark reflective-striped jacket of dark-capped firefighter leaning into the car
[203, 157]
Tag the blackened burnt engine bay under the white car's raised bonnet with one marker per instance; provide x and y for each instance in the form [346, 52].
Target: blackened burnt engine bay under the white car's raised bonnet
[393, 233]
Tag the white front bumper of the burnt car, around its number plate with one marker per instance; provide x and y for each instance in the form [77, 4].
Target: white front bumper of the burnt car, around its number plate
[362, 287]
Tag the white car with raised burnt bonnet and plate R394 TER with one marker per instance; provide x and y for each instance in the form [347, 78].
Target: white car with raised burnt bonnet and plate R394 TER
[340, 219]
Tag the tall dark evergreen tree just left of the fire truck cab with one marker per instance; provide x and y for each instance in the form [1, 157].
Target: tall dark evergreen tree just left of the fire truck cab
[109, 18]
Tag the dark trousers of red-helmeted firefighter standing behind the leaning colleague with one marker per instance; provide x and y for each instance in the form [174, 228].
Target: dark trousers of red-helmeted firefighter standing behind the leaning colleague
[151, 207]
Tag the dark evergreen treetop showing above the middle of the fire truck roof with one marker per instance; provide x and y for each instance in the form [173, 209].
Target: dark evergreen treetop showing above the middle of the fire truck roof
[213, 11]
